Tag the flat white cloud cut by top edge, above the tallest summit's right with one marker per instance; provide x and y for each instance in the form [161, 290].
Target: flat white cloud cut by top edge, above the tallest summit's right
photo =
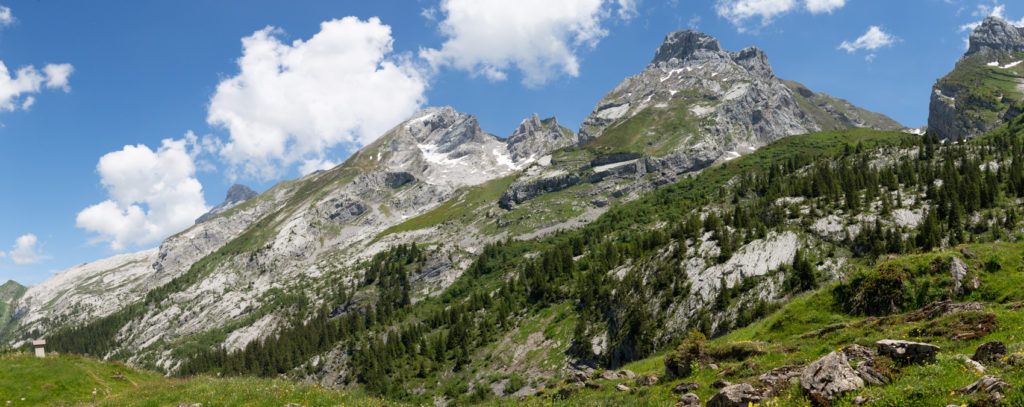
[740, 12]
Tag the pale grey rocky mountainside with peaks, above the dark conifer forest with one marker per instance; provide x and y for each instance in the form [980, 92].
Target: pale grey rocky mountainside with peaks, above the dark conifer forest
[437, 181]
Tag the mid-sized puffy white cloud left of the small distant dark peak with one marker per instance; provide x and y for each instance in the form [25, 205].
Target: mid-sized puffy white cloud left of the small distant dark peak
[153, 194]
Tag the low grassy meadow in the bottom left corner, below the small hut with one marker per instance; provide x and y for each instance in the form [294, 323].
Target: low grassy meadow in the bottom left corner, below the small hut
[65, 380]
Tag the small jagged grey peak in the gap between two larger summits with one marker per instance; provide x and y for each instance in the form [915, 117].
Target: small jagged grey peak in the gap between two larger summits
[536, 138]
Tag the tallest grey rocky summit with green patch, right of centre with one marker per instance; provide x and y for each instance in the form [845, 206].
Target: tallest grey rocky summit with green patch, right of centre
[703, 101]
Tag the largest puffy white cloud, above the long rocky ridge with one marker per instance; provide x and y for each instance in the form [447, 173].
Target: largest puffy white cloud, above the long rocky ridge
[290, 103]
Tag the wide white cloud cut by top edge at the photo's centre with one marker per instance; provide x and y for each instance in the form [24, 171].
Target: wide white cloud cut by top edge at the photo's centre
[540, 38]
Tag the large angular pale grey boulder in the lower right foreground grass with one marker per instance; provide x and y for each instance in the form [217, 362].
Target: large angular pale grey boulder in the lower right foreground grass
[830, 377]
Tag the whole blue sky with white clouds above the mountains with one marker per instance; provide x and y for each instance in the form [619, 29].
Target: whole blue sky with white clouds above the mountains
[142, 114]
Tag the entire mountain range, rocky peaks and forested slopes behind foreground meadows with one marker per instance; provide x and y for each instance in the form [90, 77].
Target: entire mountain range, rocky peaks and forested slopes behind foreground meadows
[690, 199]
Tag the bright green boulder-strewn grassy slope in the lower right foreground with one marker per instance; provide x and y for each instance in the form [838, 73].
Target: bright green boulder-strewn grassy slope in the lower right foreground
[928, 385]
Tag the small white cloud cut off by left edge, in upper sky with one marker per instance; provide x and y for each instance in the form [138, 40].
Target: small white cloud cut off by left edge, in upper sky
[28, 80]
